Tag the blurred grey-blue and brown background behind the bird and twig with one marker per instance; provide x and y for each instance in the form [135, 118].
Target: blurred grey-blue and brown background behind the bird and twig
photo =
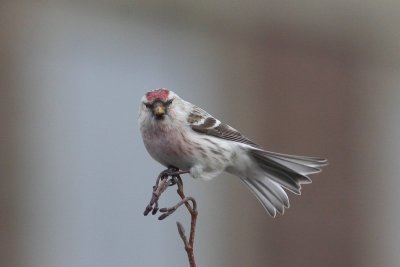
[318, 78]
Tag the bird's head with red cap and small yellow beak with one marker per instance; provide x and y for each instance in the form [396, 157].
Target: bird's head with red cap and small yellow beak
[158, 103]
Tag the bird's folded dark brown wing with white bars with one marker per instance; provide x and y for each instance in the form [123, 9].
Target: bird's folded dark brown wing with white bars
[202, 122]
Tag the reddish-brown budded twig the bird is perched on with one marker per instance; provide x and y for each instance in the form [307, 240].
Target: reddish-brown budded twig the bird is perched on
[162, 183]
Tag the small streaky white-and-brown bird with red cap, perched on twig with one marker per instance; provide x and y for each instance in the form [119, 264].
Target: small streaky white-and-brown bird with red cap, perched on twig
[178, 134]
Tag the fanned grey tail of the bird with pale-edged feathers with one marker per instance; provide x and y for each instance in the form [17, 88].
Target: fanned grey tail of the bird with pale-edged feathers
[277, 171]
